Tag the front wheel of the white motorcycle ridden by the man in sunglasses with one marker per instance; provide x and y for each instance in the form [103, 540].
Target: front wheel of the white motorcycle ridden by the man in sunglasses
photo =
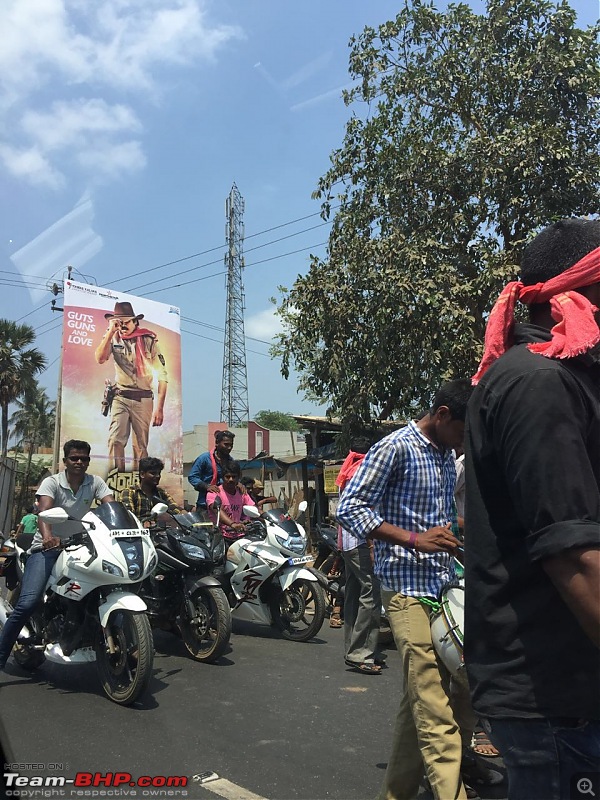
[125, 673]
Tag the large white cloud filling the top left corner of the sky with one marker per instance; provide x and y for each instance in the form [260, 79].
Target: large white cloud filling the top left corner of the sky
[64, 64]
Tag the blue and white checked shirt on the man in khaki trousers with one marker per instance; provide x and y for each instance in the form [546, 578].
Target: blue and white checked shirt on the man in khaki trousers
[407, 481]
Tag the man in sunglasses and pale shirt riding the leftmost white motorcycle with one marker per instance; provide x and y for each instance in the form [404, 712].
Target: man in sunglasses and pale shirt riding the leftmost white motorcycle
[74, 491]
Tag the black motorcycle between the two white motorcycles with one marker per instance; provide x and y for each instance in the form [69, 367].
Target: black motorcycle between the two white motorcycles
[184, 593]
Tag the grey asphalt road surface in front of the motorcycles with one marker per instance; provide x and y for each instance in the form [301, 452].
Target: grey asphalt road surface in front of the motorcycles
[274, 719]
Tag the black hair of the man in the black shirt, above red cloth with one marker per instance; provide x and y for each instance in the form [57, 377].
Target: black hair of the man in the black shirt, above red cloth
[558, 247]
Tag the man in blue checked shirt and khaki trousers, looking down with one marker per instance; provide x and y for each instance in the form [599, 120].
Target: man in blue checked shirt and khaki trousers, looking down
[402, 498]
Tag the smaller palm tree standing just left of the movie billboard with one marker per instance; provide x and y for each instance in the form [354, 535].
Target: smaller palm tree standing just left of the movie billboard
[33, 426]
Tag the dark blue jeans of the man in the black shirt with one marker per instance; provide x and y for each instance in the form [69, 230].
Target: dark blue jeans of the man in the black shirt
[543, 757]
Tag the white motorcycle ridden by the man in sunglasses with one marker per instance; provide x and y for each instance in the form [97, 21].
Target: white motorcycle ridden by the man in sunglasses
[87, 614]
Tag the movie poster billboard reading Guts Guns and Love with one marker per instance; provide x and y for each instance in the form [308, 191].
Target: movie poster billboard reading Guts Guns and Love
[121, 383]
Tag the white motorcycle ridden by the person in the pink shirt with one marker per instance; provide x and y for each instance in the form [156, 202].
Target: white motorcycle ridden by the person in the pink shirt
[267, 580]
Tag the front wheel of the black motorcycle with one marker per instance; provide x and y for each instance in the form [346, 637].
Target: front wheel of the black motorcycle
[206, 636]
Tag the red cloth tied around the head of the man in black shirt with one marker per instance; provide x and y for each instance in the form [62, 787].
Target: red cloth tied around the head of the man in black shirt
[576, 330]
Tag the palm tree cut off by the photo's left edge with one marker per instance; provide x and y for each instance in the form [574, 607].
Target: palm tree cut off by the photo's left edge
[19, 364]
